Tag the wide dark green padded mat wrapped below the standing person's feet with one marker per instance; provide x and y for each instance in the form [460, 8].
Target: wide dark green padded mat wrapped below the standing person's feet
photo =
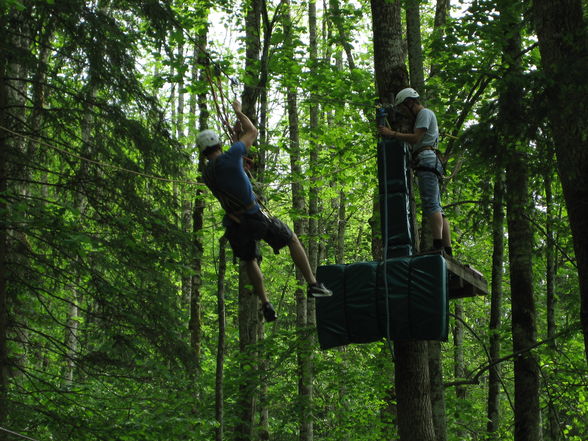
[416, 301]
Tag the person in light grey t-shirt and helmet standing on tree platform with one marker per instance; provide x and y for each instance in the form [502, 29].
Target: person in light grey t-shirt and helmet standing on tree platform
[425, 161]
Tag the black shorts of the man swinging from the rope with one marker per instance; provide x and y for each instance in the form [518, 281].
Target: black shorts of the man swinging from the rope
[243, 236]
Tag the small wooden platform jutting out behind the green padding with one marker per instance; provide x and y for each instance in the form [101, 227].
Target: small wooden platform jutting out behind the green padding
[464, 280]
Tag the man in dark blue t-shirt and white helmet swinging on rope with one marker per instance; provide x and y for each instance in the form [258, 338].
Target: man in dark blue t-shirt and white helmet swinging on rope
[245, 223]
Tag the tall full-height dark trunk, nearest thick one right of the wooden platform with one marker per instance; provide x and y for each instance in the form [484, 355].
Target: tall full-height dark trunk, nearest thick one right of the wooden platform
[526, 369]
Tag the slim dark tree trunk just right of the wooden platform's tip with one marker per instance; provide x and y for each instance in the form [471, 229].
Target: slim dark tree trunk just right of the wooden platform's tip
[496, 302]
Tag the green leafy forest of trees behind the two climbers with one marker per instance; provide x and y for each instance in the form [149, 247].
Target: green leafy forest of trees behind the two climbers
[122, 314]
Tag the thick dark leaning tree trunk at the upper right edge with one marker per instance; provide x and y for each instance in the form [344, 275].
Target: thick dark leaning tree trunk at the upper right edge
[564, 54]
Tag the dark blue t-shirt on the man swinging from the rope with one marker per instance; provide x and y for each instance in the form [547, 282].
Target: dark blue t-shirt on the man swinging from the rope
[231, 185]
